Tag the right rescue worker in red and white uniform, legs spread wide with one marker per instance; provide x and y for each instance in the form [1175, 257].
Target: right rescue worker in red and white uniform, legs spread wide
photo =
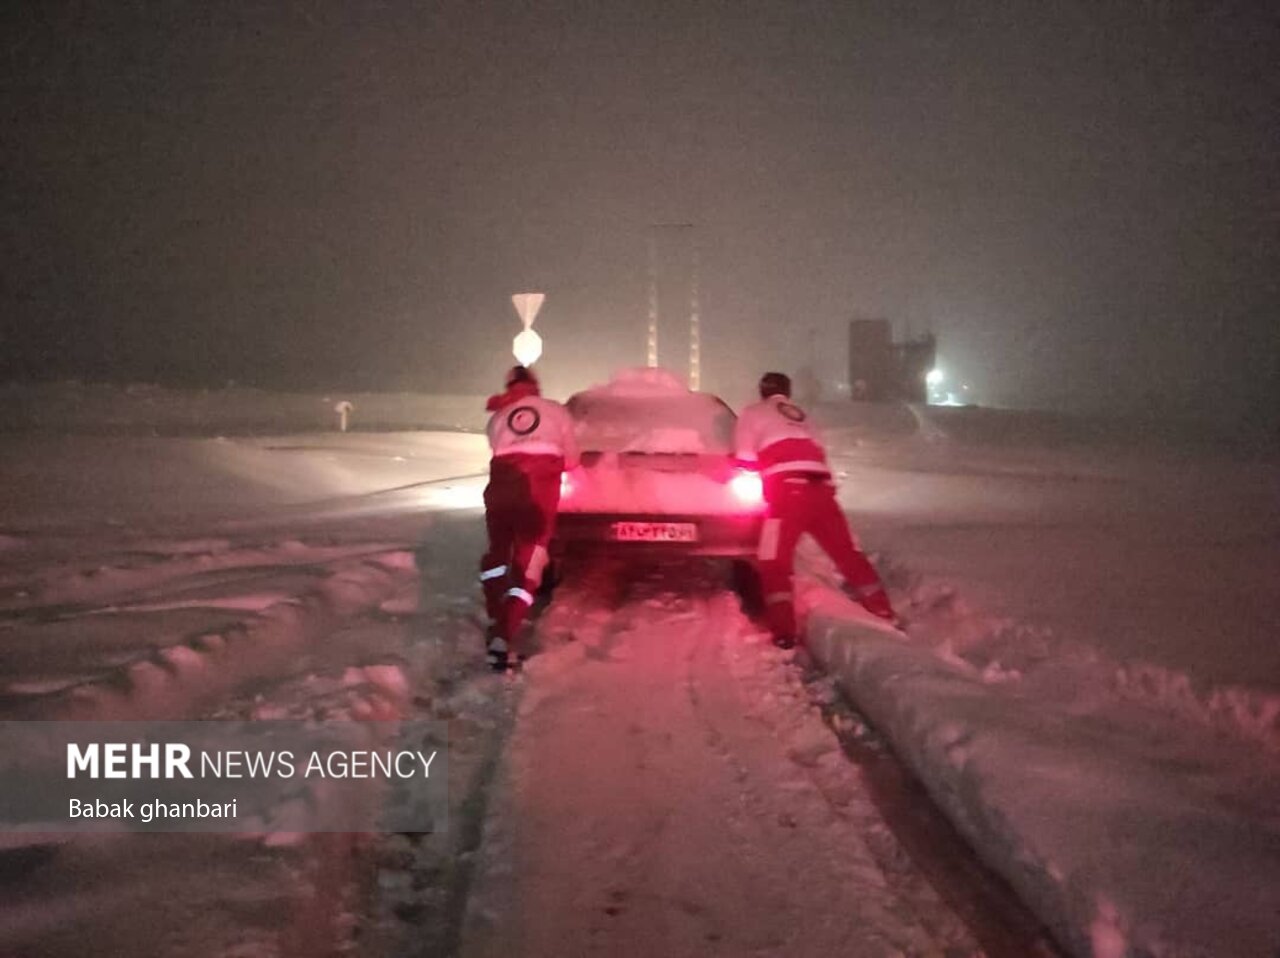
[778, 437]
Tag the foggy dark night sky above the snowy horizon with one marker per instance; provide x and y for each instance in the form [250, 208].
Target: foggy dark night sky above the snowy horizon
[1082, 200]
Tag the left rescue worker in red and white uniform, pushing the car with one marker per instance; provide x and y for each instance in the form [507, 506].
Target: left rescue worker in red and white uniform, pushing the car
[533, 444]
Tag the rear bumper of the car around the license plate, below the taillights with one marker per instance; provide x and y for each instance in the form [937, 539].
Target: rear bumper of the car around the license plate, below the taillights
[717, 536]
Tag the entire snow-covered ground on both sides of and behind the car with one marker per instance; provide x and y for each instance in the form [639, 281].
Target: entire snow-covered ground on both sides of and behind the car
[1123, 594]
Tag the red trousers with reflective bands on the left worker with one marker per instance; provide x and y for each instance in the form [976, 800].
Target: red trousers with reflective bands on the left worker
[520, 514]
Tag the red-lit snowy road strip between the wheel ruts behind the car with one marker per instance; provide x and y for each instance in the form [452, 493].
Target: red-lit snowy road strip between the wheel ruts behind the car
[671, 788]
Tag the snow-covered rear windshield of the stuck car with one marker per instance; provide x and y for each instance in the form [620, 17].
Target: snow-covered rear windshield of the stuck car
[687, 423]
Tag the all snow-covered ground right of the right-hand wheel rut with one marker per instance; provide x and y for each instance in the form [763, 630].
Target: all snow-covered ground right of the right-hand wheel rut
[1101, 710]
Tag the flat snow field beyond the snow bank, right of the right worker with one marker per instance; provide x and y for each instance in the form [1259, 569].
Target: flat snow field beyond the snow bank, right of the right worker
[1154, 559]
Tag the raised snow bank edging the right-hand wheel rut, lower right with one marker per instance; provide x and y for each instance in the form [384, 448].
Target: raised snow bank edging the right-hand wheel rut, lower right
[1122, 840]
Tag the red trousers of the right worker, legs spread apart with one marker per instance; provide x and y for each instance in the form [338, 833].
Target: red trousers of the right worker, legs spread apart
[798, 507]
